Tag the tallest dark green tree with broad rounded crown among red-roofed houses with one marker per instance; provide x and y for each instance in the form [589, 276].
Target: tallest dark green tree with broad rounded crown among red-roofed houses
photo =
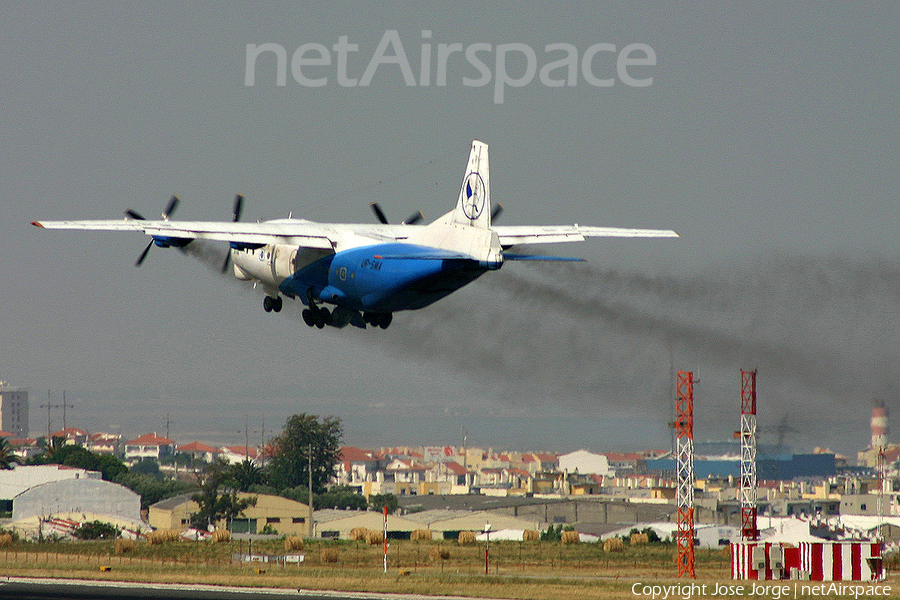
[291, 452]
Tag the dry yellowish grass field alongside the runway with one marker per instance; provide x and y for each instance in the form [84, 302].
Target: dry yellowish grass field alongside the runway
[526, 570]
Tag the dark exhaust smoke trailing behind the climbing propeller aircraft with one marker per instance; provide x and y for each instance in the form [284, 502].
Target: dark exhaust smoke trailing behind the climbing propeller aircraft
[824, 334]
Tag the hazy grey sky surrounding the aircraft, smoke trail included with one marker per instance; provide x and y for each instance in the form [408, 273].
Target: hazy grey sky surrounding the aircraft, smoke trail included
[767, 139]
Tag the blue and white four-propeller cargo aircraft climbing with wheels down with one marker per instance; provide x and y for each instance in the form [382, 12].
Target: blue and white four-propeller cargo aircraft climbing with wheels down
[365, 272]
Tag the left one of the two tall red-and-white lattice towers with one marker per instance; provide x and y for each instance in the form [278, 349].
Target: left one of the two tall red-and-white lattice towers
[684, 444]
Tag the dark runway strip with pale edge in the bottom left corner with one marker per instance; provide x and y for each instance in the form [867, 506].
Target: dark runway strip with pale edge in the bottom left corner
[22, 588]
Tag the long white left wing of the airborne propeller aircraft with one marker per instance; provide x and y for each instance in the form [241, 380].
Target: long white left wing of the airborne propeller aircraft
[287, 231]
